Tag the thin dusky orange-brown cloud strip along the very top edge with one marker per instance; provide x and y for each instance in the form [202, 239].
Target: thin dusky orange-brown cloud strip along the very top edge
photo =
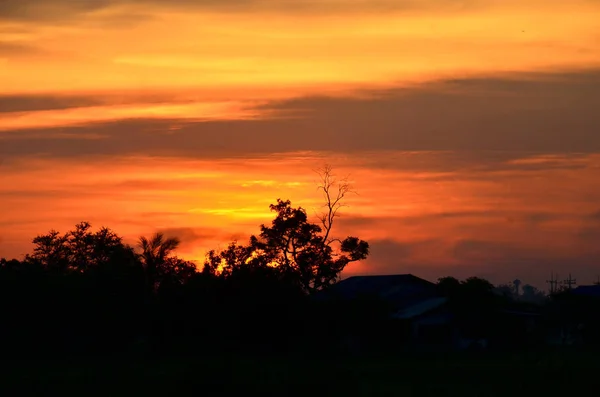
[124, 13]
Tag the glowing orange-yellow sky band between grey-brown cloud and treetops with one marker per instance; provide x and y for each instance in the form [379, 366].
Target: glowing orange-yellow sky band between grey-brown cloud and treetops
[203, 201]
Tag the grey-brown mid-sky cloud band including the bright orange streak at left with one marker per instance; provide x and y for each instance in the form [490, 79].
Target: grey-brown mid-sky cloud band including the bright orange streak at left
[477, 117]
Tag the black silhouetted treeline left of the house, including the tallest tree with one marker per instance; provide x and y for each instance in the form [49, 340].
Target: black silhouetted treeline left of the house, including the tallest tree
[87, 292]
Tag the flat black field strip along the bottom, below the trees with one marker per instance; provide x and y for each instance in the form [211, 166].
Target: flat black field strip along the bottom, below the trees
[547, 374]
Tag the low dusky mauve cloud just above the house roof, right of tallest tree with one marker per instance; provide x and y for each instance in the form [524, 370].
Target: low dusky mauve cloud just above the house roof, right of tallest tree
[499, 262]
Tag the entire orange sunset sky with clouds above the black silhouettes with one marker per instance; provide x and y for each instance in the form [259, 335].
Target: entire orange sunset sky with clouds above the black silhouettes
[469, 129]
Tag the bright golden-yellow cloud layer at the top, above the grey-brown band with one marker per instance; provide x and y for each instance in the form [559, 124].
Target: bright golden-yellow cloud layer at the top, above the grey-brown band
[192, 45]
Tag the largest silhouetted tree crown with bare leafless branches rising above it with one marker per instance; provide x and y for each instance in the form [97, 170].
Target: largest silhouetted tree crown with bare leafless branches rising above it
[298, 251]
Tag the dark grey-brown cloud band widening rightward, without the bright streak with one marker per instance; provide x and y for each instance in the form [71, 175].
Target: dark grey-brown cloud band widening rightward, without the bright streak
[545, 114]
